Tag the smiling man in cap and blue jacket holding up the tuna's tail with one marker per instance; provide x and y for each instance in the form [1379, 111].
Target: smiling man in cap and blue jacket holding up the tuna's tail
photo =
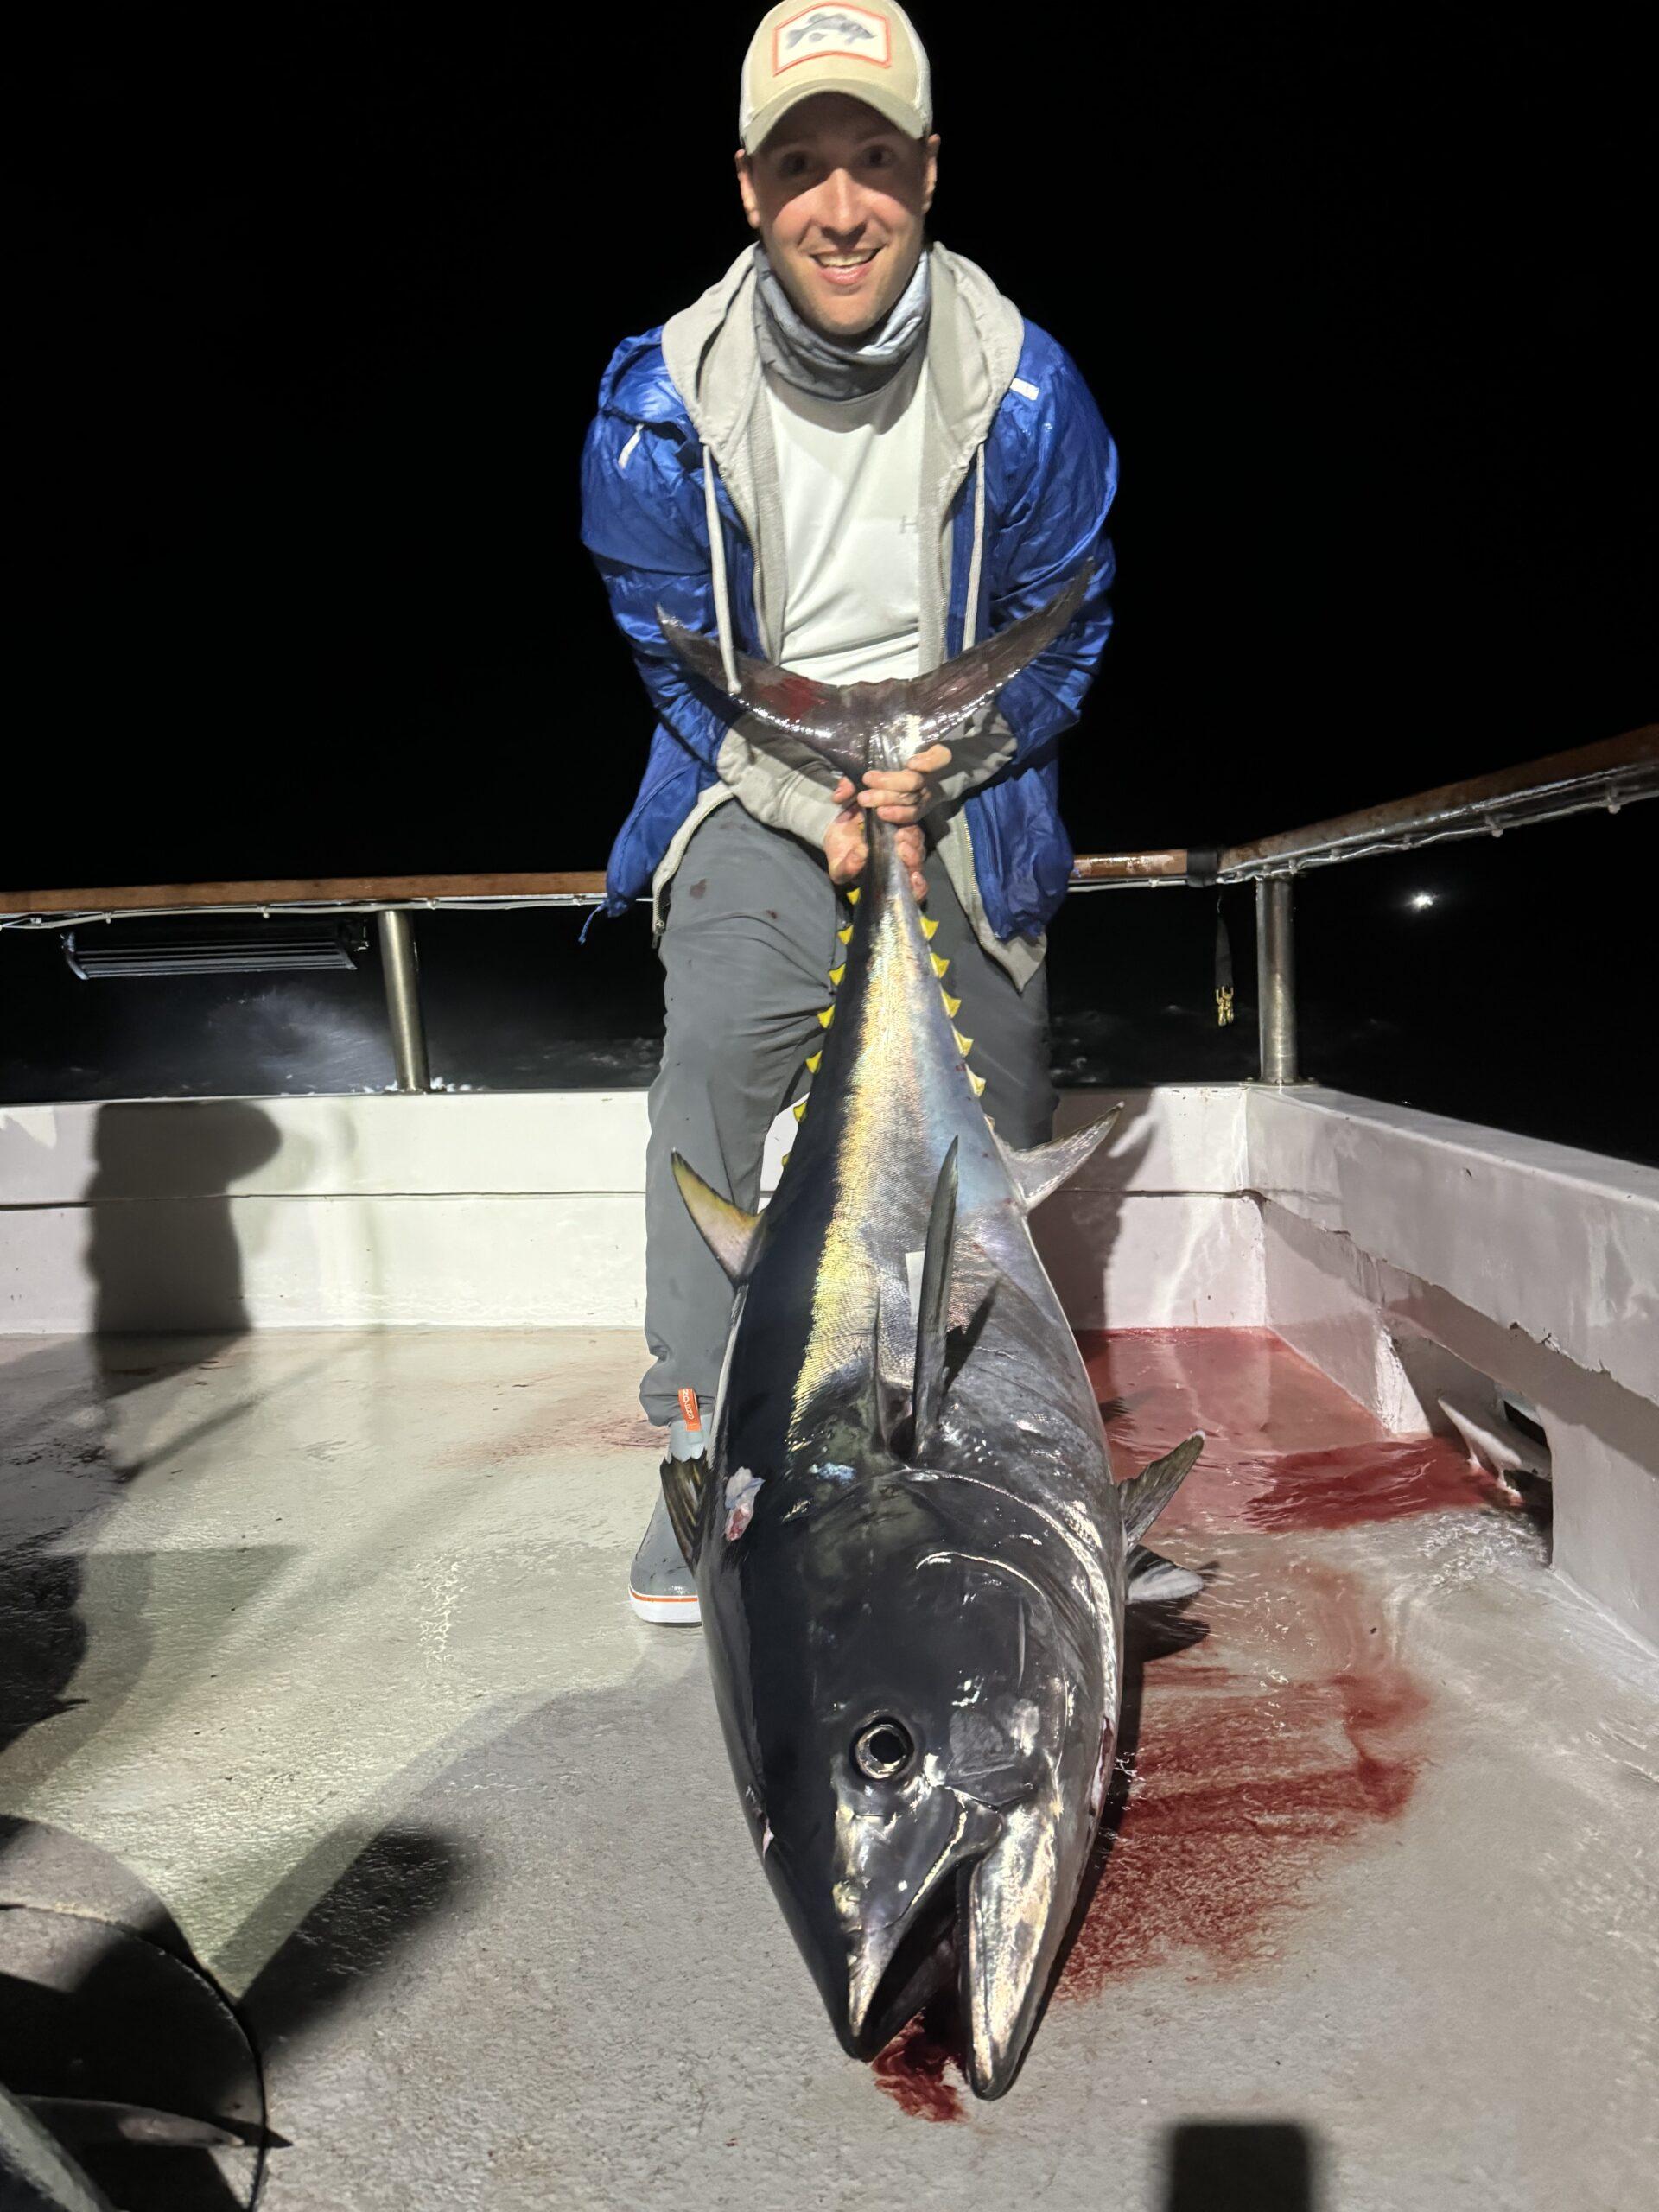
[853, 459]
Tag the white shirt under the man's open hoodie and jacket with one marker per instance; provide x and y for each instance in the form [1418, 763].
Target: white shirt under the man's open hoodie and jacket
[851, 479]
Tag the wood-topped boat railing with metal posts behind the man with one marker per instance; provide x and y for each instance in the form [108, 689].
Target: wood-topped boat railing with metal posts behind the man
[1609, 775]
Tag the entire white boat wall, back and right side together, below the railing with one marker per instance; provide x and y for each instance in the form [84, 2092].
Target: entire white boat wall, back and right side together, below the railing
[1392, 1249]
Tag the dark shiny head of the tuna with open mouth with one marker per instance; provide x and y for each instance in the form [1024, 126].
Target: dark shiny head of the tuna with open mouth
[926, 1707]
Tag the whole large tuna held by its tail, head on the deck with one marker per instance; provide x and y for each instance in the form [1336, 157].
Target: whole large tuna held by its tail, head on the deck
[908, 1543]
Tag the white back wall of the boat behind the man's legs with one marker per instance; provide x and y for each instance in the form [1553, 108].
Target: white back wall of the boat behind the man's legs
[510, 1211]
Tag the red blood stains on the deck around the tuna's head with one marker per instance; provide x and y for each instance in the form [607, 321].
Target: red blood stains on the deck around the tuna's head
[1282, 1735]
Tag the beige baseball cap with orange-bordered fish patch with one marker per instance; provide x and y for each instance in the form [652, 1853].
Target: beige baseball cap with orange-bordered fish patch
[862, 48]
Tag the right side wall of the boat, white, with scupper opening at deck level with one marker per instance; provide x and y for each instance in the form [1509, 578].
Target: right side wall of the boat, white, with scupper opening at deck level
[1401, 1246]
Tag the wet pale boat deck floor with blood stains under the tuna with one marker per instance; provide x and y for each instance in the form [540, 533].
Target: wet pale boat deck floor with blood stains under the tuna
[320, 1678]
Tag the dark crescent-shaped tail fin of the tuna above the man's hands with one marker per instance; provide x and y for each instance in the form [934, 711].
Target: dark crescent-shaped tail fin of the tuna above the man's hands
[857, 727]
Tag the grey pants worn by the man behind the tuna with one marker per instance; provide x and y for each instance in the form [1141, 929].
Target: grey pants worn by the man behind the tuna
[747, 957]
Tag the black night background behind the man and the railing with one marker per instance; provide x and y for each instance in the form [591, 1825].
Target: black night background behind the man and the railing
[320, 302]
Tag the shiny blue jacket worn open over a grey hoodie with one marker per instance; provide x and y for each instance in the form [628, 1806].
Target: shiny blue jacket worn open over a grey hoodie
[1034, 483]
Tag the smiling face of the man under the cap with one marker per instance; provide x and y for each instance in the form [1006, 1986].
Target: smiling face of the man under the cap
[839, 198]
